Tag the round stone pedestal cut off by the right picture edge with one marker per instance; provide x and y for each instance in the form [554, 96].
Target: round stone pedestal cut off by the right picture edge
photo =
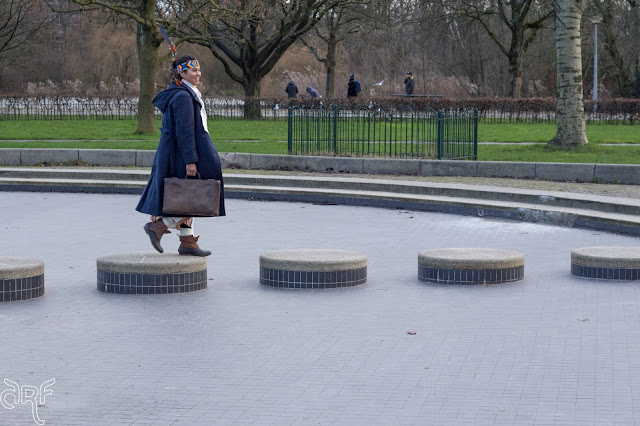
[607, 263]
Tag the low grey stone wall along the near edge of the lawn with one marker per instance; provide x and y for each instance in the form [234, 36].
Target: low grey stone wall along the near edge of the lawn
[604, 173]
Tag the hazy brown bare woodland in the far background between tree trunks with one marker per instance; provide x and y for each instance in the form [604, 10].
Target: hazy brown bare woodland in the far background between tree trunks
[450, 50]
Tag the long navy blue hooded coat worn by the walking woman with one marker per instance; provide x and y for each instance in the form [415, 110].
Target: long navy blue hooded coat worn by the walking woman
[182, 141]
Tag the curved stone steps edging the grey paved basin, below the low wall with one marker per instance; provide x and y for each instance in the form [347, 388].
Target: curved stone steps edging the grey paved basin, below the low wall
[522, 205]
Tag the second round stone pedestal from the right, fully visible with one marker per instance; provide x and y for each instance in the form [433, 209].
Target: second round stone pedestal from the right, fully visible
[470, 266]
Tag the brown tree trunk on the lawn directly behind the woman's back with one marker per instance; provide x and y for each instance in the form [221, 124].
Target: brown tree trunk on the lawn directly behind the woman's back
[147, 46]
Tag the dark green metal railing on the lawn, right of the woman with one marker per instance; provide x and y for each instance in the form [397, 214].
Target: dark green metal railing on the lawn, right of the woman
[364, 132]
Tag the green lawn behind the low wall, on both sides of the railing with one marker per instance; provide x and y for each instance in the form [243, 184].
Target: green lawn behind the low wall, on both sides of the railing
[268, 137]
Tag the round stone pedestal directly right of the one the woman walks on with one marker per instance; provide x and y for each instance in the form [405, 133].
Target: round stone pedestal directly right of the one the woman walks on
[309, 268]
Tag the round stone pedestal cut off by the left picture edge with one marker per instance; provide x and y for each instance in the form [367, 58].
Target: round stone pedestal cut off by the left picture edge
[21, 278]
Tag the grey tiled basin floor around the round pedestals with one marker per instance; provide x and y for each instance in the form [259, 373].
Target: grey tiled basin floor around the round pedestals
[551, 349]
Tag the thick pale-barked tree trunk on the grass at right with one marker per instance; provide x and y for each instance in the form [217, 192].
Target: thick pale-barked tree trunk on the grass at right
[570, 110]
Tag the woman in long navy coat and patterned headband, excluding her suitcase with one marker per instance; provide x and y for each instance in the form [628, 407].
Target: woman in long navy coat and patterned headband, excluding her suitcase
[185, 149]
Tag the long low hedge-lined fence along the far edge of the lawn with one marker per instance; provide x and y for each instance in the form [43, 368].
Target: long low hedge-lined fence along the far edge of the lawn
[490, 110]
